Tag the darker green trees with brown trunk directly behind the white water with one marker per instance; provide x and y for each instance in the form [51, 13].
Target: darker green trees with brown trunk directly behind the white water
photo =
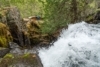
[59, 13]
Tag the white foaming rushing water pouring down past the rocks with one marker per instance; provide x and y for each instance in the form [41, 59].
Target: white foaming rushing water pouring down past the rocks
[77, 46]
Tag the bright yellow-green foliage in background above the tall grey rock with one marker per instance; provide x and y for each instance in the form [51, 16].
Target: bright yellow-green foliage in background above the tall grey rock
[26, 7]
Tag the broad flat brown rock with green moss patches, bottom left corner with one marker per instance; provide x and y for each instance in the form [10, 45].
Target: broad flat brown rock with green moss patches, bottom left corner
[26, 60]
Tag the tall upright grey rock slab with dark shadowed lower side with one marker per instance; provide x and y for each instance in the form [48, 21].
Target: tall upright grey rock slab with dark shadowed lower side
[14, 21]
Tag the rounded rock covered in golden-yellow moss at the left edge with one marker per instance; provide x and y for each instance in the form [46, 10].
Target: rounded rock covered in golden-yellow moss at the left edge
[5, 36]
